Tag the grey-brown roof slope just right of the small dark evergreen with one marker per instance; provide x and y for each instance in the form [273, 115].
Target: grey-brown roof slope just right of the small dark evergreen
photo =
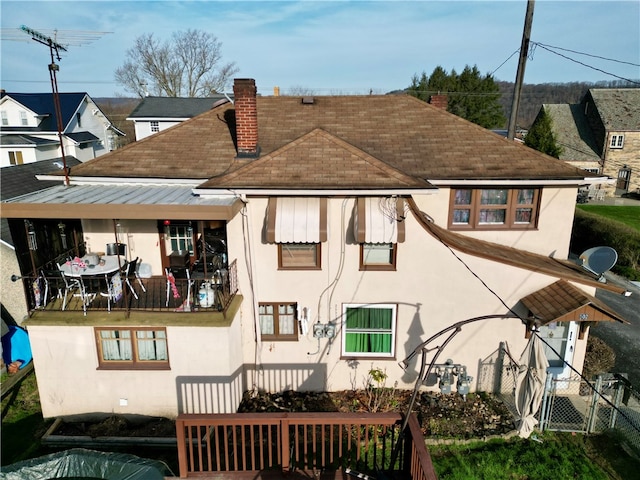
[570, 126]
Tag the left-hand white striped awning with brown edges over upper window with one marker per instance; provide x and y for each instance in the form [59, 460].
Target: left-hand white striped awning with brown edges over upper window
[297, 220]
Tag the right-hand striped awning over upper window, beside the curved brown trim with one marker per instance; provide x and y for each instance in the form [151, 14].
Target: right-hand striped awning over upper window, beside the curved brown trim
[379, 220]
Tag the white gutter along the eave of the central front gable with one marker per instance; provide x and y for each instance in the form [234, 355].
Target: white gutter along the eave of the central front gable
[312, 193]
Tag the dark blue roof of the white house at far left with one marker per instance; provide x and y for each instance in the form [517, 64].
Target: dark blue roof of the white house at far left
[42, 104]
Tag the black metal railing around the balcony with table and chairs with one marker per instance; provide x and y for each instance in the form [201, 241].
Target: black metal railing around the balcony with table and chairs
[86, 293]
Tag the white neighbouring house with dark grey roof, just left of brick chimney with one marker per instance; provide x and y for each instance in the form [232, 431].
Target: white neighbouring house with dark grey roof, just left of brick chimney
[154, 114]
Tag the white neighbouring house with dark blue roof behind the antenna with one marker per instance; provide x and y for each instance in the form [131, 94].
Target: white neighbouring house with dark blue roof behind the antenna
[29, 130]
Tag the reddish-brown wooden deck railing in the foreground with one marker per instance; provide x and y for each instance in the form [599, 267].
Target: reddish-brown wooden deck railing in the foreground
[231, 444]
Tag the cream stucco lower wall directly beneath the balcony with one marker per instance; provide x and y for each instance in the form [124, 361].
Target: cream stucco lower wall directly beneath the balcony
[205, 375]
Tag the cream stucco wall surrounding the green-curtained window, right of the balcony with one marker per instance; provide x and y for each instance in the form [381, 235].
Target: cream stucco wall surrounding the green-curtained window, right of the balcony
[431, 287]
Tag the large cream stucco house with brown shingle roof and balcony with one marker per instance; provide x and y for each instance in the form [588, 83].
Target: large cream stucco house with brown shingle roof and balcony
[342, 232]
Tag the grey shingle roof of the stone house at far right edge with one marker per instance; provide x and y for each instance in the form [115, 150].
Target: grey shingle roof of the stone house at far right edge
[619, 108]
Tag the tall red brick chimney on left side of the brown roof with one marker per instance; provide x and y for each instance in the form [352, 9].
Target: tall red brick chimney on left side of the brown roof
[244, 92]
